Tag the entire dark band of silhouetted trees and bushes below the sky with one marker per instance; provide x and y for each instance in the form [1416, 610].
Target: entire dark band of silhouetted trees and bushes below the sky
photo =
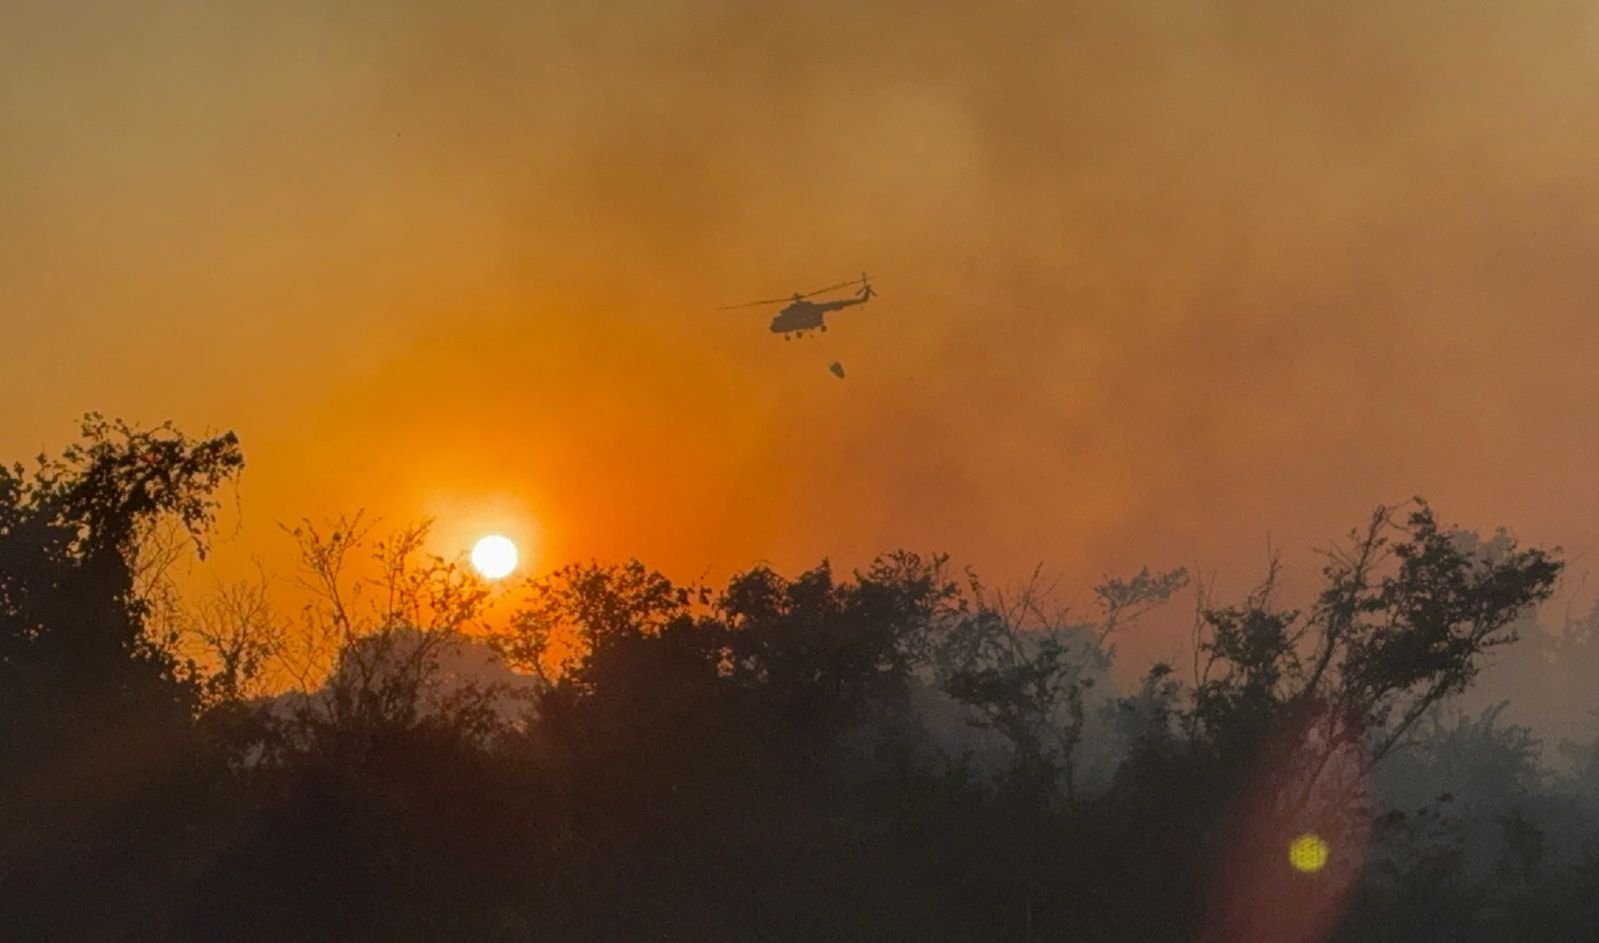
[899, 754]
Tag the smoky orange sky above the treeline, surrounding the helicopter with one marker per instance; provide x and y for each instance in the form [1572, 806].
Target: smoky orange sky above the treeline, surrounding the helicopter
[1158, 281]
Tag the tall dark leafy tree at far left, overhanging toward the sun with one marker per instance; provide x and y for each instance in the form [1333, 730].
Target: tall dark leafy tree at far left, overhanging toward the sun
[97, 718]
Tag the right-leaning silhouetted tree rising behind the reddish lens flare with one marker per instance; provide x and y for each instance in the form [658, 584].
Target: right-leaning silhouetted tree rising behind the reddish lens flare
[1291, 709]
